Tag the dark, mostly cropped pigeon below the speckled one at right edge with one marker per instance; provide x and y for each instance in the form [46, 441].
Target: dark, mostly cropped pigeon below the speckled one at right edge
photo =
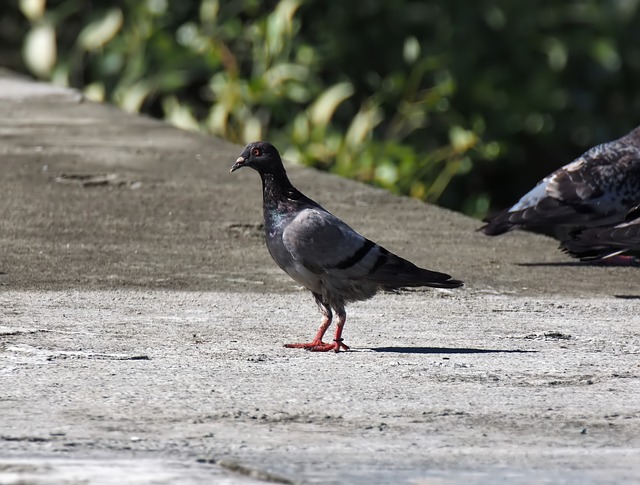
[600, 243]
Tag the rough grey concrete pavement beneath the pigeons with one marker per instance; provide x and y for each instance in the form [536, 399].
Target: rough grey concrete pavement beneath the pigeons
[142, 323]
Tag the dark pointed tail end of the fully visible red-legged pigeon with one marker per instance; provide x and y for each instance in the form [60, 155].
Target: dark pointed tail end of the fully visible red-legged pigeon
[400, 273]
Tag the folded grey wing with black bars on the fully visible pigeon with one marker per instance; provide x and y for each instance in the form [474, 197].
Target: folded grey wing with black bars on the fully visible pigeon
[324, 244]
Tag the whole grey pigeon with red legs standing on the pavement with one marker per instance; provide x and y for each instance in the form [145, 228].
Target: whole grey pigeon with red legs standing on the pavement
[324, 254]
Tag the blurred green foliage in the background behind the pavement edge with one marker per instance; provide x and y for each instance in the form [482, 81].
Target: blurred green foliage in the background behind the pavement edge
[466, 104]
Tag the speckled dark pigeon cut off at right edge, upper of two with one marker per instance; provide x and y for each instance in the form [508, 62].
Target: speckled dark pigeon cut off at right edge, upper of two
[597, 188]
